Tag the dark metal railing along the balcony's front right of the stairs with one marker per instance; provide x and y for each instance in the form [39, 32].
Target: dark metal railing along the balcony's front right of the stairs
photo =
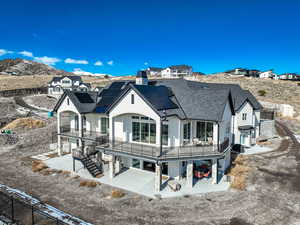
[167, 152]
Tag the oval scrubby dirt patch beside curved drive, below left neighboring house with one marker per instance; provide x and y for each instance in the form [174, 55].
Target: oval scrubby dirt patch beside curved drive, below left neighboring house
[41, 101]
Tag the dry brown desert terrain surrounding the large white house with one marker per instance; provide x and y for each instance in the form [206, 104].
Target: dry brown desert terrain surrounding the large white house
[271, 195]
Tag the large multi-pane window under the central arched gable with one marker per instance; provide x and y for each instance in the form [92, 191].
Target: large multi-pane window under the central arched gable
[143, 130]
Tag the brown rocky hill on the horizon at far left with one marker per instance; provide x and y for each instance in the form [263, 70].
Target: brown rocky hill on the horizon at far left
[20, 67]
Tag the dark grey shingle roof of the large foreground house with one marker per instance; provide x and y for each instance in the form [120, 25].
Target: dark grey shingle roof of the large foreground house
[185, 99]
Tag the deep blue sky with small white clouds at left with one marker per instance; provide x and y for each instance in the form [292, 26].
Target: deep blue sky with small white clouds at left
[127, 35]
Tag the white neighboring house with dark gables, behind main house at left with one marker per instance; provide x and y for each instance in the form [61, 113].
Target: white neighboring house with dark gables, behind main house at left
[57, 85]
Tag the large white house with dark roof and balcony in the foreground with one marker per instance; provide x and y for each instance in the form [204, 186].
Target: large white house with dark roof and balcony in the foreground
[170, 127]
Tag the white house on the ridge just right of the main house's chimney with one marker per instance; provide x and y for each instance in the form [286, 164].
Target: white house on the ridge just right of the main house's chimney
[177, 71]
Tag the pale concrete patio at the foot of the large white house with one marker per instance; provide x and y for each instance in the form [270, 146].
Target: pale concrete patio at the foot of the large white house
[136, 180]
